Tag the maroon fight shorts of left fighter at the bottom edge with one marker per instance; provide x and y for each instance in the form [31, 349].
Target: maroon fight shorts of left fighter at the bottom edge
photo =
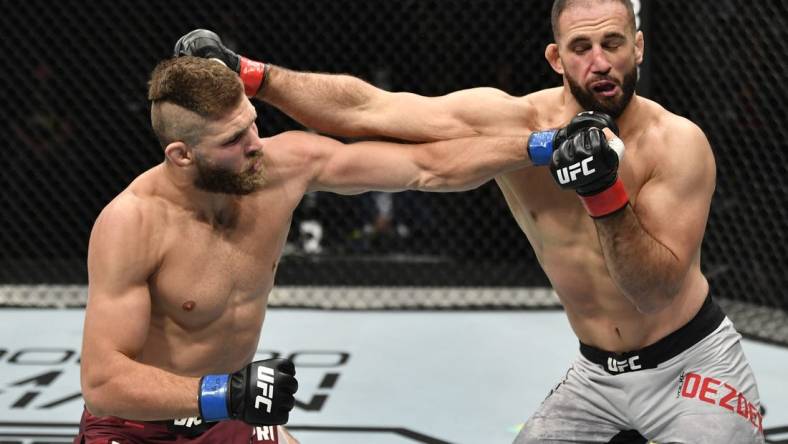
[112, 430]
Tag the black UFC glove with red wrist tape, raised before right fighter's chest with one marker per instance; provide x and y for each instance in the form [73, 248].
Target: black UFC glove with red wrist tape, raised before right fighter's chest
[587, 163]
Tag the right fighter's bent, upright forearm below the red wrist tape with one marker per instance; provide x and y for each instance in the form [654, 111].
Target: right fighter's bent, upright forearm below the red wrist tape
[645, 270]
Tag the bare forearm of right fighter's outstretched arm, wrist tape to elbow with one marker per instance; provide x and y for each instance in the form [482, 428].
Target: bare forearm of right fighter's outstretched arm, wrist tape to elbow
[329, 103]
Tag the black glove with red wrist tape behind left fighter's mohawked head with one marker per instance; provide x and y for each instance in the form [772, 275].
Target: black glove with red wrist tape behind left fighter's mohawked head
[208, 45]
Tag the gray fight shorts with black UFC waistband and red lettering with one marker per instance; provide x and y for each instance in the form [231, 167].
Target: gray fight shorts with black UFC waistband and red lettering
[694, 386]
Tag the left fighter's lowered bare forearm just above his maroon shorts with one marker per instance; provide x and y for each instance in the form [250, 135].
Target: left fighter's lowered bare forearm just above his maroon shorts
[127, 389]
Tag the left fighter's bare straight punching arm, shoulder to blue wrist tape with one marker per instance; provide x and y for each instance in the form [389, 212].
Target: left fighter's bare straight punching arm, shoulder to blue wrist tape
[452, 165]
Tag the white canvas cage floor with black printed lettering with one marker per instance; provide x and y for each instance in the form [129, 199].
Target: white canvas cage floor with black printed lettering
[365, 377]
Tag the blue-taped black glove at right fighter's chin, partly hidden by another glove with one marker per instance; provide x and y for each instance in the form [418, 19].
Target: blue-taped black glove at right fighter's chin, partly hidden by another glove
[541, 144]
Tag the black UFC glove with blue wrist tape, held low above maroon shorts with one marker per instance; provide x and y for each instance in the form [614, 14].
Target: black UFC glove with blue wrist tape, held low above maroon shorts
[259, 394]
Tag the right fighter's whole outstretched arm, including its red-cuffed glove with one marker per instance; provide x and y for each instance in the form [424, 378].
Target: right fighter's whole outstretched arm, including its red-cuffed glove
[348, 106]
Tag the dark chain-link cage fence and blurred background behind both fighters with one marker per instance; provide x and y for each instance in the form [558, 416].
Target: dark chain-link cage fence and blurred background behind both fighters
[76, 131]
